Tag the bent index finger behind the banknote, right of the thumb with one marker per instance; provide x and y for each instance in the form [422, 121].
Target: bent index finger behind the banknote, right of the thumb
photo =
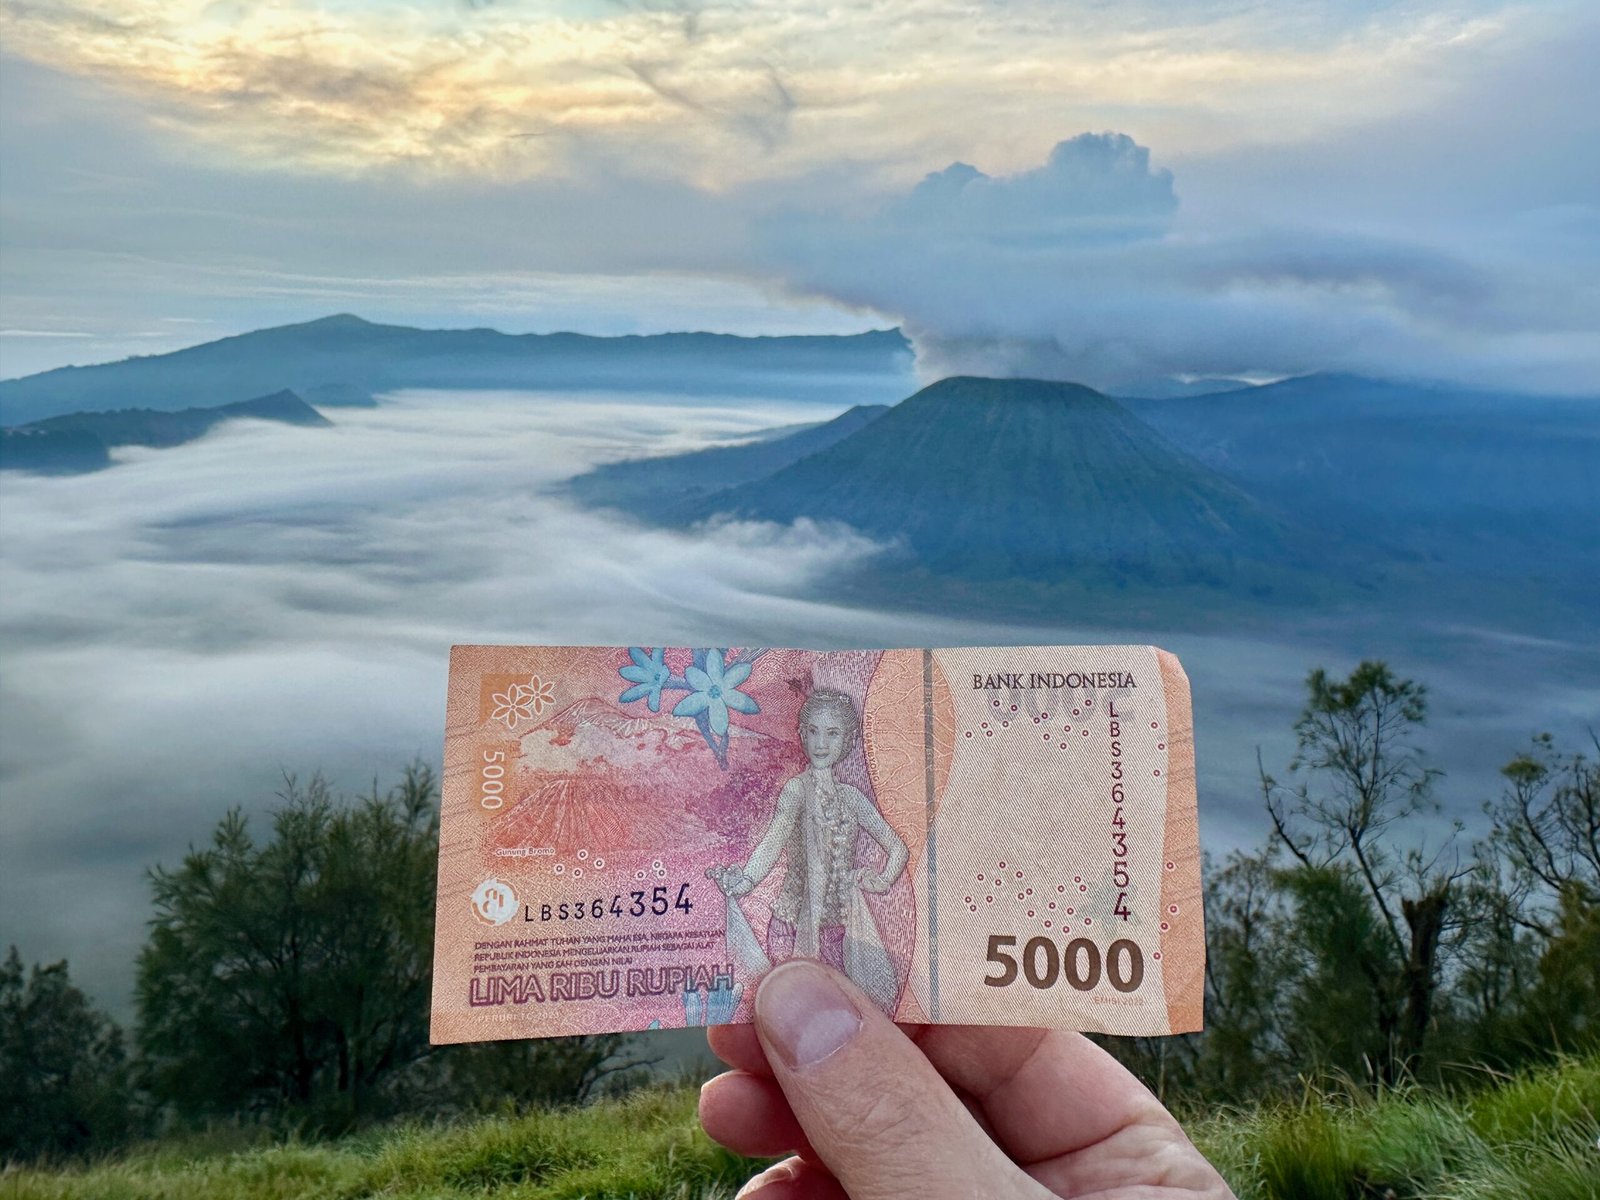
[1044, 1092]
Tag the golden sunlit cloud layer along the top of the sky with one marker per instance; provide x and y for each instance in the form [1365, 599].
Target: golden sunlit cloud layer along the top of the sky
[689, 90]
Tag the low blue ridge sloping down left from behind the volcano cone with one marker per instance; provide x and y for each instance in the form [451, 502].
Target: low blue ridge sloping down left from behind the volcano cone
[676, 487]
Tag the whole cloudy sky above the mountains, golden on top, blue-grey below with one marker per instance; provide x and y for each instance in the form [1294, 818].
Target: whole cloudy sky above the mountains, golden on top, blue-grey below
[1393, 188]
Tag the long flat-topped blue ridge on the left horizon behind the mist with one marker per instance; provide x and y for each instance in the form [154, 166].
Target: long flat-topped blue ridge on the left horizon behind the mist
[346, 361]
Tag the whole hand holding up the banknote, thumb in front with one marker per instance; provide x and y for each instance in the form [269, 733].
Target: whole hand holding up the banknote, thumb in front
[935, 1113]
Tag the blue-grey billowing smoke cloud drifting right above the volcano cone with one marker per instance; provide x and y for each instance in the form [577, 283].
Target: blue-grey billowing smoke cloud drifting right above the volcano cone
[1084, 270]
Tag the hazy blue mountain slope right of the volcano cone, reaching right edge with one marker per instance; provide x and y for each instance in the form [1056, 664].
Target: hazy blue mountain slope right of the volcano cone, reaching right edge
[1476, 481]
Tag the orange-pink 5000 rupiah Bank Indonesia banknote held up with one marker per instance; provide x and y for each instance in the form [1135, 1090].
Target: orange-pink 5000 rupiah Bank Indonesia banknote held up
[634, 836]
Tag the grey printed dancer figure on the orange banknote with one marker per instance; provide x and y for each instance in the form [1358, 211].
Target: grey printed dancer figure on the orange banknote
[822, 911]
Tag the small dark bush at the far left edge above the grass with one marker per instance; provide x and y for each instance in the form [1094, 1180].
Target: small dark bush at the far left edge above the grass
[63, 1070]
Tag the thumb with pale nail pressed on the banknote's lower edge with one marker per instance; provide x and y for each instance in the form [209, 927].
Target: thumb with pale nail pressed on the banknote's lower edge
[871, 1105]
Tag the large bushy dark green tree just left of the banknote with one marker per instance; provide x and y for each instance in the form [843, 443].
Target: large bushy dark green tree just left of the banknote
[294, 975]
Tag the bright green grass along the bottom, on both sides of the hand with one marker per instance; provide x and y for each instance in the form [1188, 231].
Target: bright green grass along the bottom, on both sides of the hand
[1532, 1137]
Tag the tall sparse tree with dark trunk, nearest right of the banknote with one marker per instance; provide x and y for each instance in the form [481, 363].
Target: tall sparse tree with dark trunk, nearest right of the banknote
[1356, 775]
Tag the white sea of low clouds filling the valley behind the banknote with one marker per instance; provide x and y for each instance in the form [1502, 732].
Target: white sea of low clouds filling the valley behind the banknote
[186, 628]
